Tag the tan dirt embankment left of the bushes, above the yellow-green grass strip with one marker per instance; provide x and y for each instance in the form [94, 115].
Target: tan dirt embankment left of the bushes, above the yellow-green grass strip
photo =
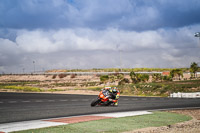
[60, 81]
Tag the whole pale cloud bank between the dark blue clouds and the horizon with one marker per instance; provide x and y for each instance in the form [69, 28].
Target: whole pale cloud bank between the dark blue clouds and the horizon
[87, 48]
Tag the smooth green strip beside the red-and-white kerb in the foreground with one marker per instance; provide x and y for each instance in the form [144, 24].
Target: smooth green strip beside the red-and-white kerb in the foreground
[116, 125]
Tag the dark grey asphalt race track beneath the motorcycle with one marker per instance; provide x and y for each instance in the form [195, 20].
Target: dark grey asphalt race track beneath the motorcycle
[32, 106]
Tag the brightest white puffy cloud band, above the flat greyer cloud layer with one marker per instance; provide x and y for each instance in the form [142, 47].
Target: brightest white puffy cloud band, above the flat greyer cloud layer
[86, 39]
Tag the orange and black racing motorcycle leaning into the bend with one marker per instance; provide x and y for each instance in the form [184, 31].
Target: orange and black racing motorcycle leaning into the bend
[103, 99]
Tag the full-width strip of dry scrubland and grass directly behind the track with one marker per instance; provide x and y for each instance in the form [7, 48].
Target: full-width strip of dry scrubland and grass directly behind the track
[91, 84]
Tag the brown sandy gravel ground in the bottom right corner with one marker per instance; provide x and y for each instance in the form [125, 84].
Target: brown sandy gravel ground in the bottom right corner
[192, 126]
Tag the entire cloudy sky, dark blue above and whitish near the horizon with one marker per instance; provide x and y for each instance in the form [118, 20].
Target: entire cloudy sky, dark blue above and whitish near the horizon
[71, 34]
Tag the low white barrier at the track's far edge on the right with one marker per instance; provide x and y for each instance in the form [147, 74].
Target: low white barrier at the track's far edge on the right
[186, 95]
